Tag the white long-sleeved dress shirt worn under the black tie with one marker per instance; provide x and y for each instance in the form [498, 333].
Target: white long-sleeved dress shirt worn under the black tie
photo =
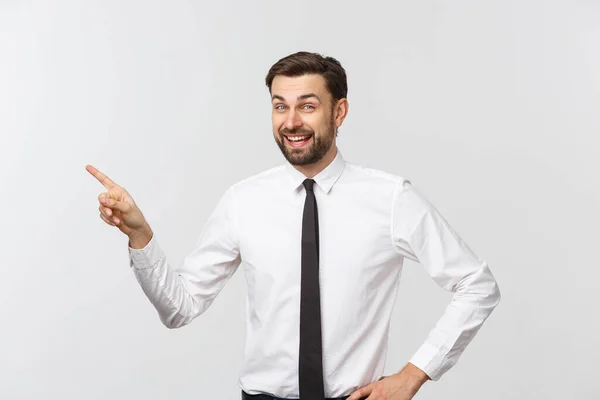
[369, 221]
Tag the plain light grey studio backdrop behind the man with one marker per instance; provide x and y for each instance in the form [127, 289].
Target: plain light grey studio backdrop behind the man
[490, 108]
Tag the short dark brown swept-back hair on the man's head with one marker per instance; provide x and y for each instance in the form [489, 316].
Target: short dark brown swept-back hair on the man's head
[303, 62]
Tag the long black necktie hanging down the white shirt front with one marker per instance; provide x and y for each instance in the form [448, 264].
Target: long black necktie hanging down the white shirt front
[311, 353]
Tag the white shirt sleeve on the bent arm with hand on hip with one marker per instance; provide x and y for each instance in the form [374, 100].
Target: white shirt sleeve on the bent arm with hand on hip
[421, 233]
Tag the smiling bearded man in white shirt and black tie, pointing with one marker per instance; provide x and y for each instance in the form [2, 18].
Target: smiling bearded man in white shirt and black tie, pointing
[322, 243]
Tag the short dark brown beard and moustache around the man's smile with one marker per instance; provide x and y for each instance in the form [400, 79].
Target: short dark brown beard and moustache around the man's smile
[311, 154]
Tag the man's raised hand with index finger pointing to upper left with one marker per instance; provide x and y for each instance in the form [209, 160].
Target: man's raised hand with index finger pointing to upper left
[117, 208]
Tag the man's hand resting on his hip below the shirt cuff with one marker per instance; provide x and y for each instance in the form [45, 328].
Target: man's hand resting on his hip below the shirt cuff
[400, 386]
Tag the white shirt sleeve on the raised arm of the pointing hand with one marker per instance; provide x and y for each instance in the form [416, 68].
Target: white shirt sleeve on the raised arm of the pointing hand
[181, 294]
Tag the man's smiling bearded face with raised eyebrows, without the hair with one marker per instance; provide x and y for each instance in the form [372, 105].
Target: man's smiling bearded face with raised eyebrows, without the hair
[303, 116]
